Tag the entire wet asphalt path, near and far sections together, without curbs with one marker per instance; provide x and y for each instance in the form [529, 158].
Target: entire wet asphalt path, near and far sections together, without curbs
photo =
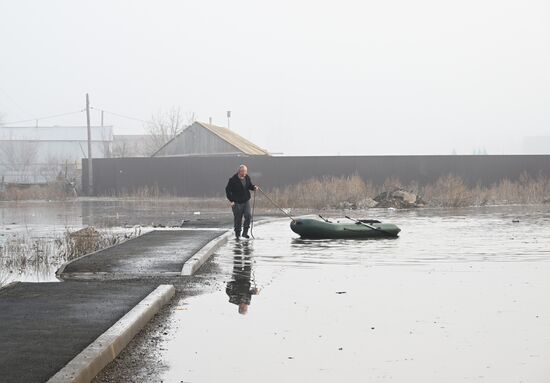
[44, 325]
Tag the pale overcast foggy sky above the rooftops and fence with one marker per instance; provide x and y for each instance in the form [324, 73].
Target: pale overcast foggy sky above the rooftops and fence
[300, 77]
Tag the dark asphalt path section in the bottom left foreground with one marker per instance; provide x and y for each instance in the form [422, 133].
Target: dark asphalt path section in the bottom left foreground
[44, 325]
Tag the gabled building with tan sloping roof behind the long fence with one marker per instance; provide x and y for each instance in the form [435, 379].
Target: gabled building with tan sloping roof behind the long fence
[206, 139]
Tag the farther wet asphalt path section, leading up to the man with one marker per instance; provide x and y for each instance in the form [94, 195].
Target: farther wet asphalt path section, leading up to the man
[153, 254]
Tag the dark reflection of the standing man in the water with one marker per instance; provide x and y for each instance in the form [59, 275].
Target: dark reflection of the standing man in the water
[240, 289]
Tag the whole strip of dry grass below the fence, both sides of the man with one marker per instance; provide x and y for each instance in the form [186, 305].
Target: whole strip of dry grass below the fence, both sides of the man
[338, 193]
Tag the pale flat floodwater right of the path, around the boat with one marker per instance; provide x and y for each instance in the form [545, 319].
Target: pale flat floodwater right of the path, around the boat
[461, 296]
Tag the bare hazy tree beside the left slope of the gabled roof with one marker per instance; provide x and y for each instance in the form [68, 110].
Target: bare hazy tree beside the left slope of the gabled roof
[164, 126]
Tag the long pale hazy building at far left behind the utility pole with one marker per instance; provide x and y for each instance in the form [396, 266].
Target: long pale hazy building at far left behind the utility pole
[40, 154]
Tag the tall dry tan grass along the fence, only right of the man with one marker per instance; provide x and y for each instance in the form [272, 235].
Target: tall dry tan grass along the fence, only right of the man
[447, 191]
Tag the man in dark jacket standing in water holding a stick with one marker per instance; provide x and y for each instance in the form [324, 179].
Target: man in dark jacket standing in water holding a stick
[238, 193]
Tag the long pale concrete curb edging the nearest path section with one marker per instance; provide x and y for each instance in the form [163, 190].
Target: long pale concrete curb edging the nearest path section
[86, 365]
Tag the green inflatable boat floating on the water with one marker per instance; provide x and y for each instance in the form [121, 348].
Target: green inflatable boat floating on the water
[317, 227]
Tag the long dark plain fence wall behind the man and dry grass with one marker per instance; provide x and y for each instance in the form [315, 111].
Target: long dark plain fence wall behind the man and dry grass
[207, 176]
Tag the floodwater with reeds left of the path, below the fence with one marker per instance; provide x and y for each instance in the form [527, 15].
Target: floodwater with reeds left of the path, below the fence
[31, 231]
